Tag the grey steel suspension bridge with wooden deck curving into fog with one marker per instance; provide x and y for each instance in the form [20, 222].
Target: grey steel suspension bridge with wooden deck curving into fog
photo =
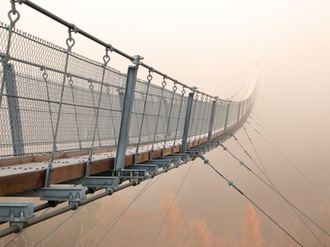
[71, 125]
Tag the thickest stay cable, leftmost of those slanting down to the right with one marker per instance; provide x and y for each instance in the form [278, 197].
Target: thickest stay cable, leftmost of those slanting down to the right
[231, 183]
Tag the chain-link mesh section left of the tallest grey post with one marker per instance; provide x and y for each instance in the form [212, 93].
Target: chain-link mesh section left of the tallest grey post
[31, 98]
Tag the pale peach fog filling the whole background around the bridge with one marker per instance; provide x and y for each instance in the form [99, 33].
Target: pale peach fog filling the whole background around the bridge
[214, 46]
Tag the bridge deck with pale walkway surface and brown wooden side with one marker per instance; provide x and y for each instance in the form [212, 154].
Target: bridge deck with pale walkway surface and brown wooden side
[30, 171]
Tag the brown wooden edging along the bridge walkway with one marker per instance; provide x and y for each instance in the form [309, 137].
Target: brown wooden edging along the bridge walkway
[12, 184]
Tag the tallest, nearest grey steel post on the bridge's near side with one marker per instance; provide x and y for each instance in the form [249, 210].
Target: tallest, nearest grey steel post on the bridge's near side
[126, 117]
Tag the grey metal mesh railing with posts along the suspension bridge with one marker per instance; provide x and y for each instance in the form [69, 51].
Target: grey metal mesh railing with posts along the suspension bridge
[53, 99]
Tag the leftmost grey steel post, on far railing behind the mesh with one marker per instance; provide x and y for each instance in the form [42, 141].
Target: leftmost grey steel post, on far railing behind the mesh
[13, 109]
